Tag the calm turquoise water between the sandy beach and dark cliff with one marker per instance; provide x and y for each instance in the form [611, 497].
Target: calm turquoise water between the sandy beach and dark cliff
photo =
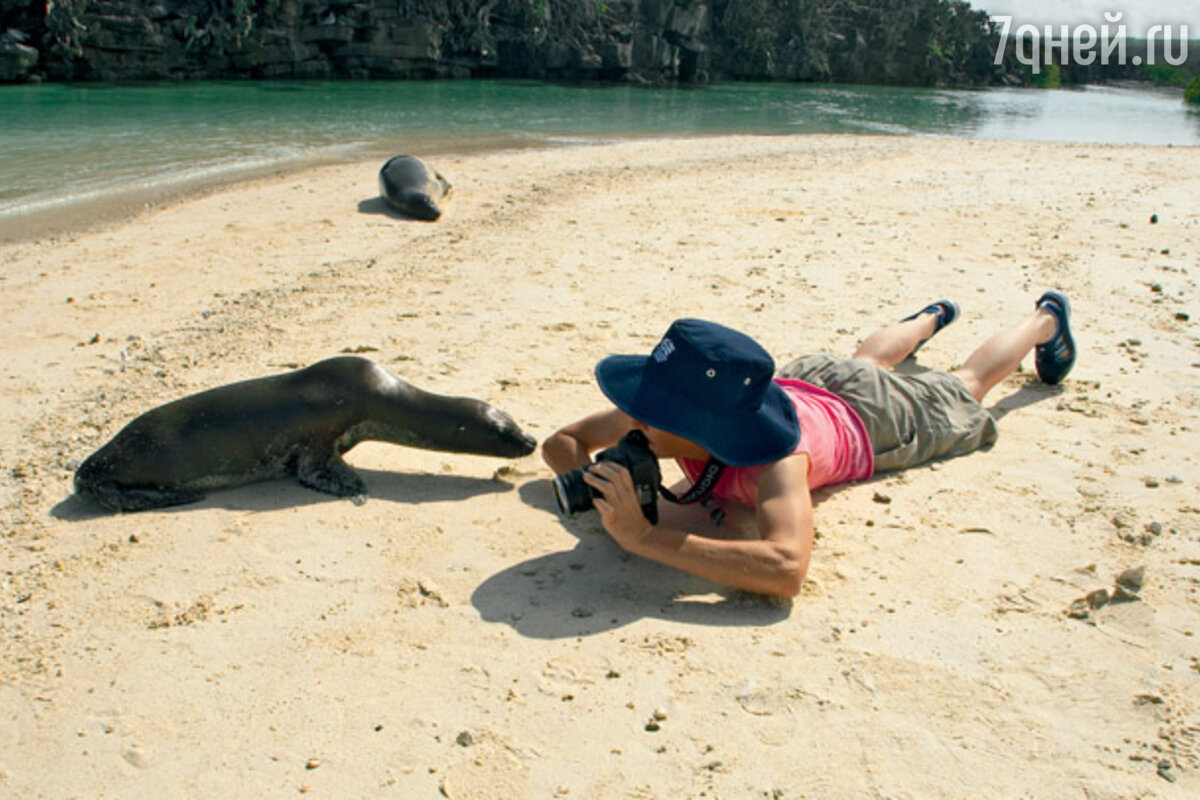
[71, 151]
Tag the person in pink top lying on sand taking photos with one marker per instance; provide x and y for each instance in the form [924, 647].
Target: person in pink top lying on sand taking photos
[706, 398]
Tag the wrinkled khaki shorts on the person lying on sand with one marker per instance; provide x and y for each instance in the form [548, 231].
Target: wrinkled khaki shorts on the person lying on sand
[910, 419]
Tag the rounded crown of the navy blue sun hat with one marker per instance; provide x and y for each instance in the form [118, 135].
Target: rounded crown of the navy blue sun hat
[713, 365]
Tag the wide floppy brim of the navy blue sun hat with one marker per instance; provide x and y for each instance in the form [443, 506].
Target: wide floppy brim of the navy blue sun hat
[748, 440]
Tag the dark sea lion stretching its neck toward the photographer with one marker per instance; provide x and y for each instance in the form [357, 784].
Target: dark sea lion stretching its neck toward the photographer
[293, 424]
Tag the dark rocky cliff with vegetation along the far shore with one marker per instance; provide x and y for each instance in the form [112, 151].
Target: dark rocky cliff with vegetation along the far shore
[659, 43]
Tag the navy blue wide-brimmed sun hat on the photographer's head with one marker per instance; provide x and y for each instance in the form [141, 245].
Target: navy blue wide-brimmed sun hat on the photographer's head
[709, 384]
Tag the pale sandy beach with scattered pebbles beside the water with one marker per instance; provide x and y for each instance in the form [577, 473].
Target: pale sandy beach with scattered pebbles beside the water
[453, 637]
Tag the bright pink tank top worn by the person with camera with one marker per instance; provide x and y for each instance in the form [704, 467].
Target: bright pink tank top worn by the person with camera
[831, 435]
